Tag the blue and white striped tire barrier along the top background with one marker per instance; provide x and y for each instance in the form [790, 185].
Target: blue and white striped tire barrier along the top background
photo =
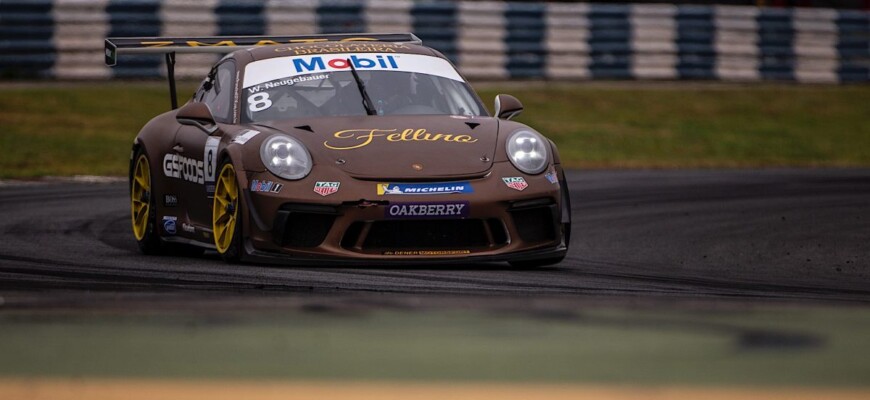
[486, 40]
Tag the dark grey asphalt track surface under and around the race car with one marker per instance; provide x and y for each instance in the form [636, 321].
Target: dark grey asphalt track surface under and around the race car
[752, 235]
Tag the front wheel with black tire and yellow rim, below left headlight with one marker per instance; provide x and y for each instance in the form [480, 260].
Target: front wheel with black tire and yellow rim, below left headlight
[226, 209]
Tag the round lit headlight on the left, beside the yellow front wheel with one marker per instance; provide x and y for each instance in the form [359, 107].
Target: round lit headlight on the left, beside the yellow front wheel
[285, 157]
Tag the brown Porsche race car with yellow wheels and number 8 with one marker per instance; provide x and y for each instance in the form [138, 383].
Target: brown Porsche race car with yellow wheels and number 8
[341, 149]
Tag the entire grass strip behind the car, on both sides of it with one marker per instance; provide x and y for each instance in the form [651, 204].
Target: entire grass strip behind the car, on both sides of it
[88, 128]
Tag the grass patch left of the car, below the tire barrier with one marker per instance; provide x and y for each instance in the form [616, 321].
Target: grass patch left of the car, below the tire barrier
[74, 129]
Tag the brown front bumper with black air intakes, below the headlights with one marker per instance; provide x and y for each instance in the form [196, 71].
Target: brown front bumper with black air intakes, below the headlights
[350, 226]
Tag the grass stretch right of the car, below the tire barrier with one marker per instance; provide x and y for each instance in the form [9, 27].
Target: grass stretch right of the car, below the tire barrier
[702, 126]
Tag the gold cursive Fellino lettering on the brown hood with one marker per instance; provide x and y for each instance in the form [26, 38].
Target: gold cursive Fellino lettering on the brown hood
[355, 138]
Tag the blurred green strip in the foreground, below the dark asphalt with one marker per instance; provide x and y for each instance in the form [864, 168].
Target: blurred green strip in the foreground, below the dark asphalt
[774, 346]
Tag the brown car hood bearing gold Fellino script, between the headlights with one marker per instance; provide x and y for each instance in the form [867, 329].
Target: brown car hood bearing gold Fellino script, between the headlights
[399, 147]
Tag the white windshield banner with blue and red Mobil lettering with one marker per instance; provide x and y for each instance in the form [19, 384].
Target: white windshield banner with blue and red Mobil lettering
[285, 67]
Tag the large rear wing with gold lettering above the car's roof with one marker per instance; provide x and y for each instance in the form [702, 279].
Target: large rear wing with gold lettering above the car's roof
[228, 44]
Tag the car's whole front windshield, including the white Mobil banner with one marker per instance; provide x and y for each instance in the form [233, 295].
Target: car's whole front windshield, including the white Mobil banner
[398, 84]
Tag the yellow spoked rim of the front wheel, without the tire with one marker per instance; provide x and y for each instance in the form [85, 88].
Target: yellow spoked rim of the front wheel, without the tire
[225, 209]
